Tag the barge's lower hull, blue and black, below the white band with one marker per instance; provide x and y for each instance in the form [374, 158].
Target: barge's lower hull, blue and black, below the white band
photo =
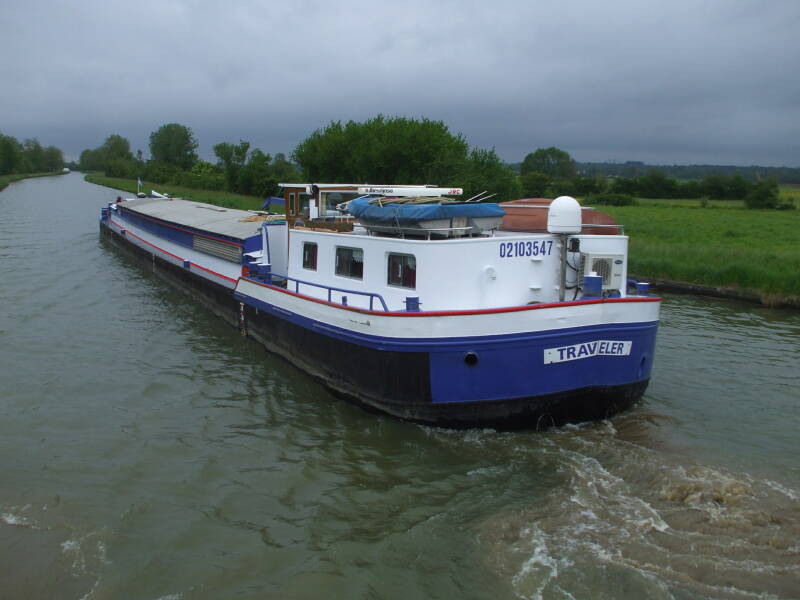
[491, 381]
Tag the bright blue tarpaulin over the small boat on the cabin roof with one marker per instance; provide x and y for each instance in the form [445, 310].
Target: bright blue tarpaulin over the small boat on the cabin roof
[407, 214]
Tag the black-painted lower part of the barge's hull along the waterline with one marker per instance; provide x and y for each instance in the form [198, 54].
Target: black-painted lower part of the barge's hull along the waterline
[395, 383]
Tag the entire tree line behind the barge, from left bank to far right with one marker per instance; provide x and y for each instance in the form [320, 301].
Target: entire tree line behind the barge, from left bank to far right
[399, 150]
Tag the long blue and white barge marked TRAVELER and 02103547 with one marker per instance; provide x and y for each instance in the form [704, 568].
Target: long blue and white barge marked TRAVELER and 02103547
[410, 302]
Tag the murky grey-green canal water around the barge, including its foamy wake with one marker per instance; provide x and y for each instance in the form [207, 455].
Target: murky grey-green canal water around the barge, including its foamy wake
[148, 451]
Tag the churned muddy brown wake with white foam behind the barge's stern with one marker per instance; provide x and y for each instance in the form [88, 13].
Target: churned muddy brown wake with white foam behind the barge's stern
[627, 515]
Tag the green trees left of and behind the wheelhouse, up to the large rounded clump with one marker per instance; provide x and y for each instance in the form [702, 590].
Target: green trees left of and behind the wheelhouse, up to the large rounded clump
[380, 150]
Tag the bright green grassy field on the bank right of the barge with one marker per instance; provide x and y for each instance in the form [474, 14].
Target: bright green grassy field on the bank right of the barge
[752, 250]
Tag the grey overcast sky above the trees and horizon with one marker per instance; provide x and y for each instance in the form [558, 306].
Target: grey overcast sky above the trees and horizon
[673, 81]
